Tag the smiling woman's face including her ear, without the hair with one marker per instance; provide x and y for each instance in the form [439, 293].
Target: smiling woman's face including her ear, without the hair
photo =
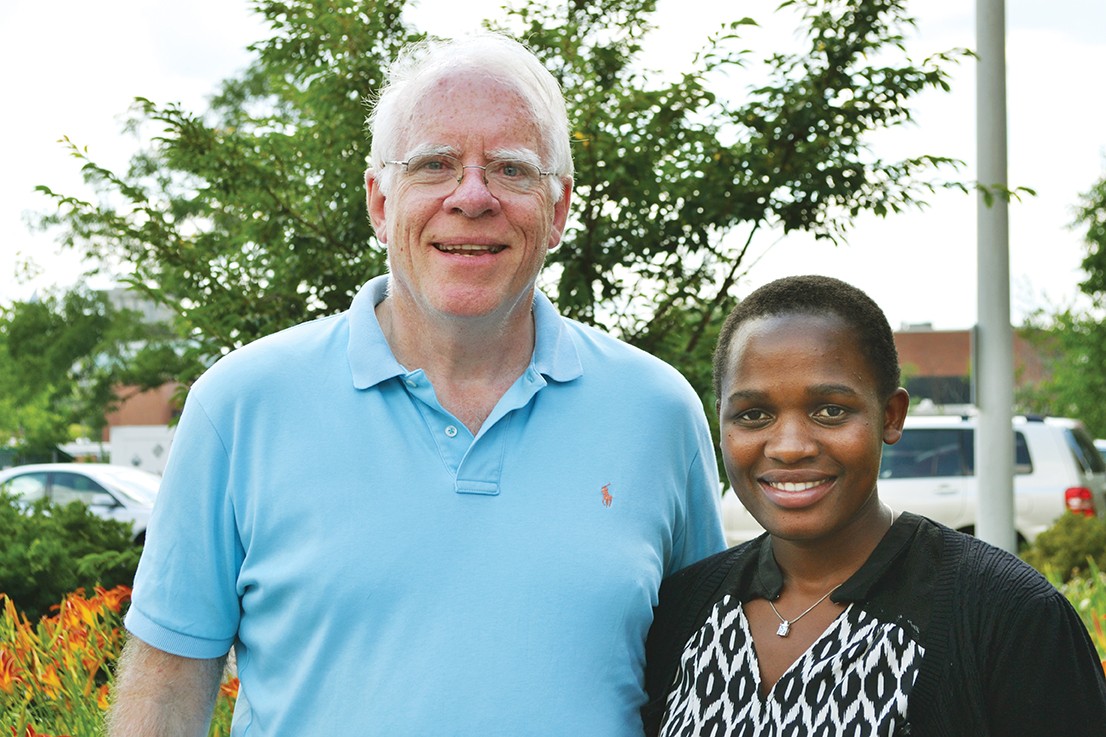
[804, 424]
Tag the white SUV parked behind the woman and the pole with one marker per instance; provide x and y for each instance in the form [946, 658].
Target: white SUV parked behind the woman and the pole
[931, 472]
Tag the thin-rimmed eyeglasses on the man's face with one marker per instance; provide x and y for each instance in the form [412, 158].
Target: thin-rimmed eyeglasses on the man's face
[440, 175]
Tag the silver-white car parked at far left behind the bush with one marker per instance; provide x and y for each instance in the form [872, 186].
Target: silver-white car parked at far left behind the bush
[119, 493]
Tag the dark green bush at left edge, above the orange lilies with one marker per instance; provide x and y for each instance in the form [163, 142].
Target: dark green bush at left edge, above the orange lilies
[49, 552]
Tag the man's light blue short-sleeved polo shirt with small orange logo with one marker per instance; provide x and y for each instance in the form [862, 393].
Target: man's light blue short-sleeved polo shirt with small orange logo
[382, 572]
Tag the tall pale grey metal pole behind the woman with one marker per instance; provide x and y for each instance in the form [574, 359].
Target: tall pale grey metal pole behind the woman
[995, 444]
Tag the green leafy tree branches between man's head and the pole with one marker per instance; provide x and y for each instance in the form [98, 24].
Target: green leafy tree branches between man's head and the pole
[676, 179]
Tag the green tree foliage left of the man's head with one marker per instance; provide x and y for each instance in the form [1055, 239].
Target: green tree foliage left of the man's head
[252, 216]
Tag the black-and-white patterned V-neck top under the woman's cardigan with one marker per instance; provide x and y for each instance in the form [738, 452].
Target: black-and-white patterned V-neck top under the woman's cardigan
[854, 680]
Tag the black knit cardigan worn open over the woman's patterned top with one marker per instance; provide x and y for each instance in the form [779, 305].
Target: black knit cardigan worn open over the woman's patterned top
[1005, 652]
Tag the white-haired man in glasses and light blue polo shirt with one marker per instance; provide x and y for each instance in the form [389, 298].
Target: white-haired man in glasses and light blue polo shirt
[448, 511]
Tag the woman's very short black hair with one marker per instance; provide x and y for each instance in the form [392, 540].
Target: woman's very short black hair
[818, 296]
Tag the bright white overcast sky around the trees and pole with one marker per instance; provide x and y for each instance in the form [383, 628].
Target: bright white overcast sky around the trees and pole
[72, 69]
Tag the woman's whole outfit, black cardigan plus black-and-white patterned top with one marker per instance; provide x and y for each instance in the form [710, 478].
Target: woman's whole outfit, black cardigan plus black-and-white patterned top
[942, 636]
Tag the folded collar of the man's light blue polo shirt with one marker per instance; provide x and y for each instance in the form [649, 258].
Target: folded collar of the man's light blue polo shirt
[372, 361]
